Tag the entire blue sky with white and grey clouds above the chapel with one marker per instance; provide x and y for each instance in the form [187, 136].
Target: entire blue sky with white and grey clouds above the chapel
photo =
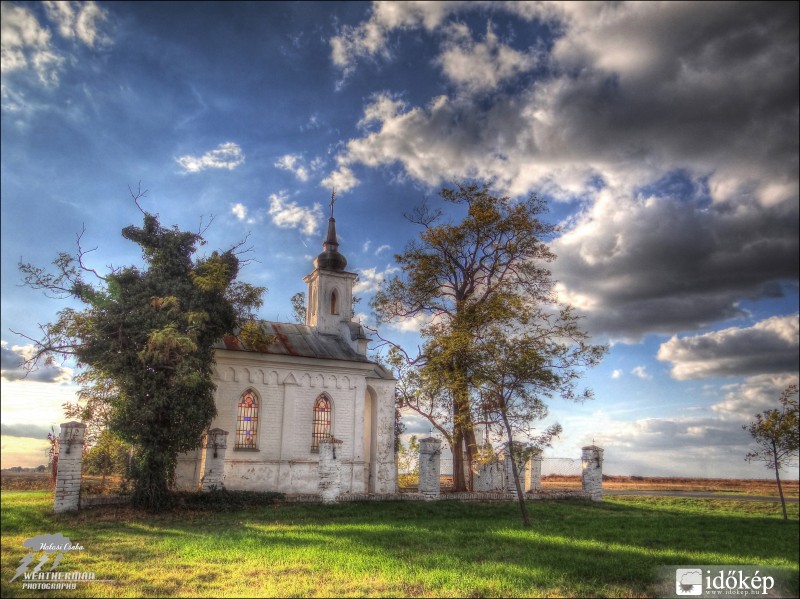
[664, 137]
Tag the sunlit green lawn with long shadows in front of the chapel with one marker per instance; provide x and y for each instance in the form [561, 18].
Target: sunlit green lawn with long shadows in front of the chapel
[443, 549]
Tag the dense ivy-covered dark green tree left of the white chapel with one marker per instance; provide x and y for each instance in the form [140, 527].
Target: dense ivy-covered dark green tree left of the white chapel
[148, 334]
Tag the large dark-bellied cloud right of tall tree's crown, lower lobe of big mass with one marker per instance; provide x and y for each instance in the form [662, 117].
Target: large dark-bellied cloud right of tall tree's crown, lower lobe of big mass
[666, 264]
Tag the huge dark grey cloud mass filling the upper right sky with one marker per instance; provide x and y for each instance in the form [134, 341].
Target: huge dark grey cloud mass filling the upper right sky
[689, 191]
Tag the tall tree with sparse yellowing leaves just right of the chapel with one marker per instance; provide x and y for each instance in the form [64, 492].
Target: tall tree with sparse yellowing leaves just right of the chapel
[488, 272]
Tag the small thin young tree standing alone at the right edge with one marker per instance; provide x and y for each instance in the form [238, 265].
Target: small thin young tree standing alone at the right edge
[777, 435]
